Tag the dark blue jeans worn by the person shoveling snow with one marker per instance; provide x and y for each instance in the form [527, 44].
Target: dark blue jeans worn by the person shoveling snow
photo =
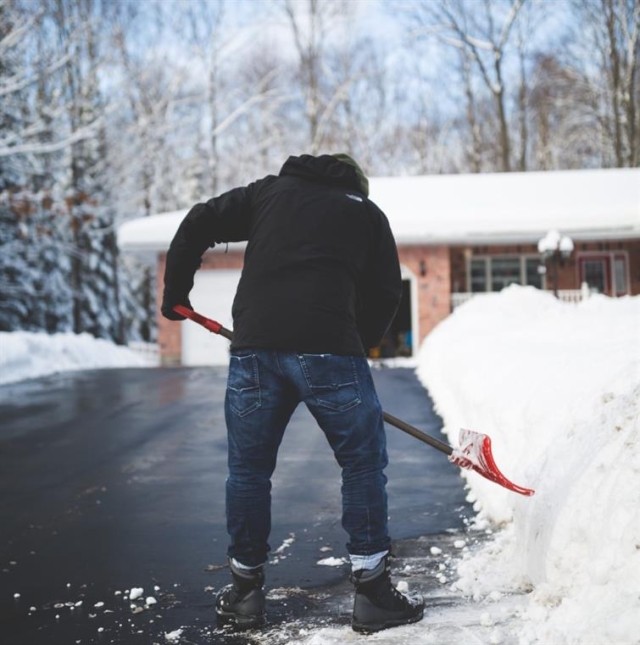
[263, 390]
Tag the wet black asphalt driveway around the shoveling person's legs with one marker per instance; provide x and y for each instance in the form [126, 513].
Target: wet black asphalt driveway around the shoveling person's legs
[113, 480]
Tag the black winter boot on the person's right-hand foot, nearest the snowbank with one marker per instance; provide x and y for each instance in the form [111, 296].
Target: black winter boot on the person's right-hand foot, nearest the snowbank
[378, 604]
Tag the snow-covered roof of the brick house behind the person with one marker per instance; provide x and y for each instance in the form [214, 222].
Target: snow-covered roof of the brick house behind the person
[490, 208]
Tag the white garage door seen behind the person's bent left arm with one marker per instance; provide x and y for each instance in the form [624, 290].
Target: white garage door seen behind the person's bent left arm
[212, 296]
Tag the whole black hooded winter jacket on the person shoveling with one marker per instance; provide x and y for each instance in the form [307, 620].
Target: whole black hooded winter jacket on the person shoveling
[321, 271]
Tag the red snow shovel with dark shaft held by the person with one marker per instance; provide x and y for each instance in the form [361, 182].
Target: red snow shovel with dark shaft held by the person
[474, 452]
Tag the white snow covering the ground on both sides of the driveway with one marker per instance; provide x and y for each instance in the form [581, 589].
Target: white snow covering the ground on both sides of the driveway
[557, 387]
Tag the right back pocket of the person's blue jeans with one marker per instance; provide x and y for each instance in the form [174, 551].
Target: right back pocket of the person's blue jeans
[332, 380]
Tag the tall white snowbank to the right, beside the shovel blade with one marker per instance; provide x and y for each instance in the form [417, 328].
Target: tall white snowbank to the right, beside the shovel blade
[557, 387]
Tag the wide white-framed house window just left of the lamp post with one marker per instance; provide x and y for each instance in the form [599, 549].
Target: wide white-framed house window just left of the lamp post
[497, 272]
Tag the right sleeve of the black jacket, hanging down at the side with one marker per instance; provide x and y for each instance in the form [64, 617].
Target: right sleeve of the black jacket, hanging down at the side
[382, 287]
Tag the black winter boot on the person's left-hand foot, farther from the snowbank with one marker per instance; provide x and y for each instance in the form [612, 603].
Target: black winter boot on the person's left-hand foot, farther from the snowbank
[242, 604]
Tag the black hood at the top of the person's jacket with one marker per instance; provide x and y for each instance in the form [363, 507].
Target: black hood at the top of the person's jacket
[326, 169]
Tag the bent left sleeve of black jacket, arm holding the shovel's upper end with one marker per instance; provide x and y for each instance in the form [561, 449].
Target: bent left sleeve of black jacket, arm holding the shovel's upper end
[222, 219]
